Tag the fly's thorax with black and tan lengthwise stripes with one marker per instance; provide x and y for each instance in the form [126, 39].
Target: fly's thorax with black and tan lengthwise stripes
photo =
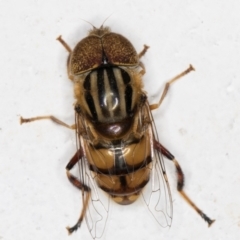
[108, 97]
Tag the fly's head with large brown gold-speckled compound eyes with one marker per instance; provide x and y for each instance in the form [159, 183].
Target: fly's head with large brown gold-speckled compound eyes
[102, 47]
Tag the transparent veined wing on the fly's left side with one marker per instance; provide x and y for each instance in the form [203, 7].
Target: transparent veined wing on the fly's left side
[97, 208]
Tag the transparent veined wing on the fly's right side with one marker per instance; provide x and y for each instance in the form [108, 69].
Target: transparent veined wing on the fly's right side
[157, 194]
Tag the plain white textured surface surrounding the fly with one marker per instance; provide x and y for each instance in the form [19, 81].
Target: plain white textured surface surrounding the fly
[199, 121]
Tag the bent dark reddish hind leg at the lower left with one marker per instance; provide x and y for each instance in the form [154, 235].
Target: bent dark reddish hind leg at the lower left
[86, 191]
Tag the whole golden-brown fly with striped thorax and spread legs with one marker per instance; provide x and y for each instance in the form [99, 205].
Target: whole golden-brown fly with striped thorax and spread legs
[117, 144]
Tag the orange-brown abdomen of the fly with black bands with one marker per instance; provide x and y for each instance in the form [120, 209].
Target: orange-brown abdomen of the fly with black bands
[121, 170]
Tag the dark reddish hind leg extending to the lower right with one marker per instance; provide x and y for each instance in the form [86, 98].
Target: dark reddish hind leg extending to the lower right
[180, 181]
